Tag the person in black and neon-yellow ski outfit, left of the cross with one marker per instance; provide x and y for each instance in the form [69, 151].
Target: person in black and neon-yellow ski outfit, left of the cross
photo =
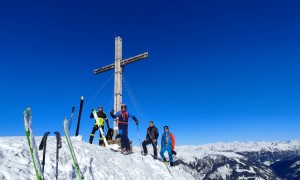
[101, 116]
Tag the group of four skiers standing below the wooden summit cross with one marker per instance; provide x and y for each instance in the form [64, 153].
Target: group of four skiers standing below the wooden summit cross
[167, 139]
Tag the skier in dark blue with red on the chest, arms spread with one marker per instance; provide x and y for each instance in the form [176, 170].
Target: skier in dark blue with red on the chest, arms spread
[123, 117]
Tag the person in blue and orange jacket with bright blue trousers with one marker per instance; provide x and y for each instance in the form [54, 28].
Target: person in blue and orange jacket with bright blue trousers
[167, 144]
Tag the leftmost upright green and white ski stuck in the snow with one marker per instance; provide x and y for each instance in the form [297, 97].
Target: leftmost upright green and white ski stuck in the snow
[27, 116]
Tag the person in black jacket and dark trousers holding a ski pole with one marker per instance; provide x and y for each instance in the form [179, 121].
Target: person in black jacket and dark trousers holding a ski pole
[151, 138]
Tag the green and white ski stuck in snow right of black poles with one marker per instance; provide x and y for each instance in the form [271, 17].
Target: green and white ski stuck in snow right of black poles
[70, 146]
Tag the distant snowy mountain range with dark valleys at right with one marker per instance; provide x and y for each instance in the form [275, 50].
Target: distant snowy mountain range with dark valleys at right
[252, 160]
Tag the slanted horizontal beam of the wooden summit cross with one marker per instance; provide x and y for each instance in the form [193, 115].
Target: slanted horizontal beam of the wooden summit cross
[123, 63]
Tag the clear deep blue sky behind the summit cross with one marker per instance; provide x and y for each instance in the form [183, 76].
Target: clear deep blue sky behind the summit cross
[217, 70]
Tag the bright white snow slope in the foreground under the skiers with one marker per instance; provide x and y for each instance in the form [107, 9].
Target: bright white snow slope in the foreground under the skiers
[95, 162]
